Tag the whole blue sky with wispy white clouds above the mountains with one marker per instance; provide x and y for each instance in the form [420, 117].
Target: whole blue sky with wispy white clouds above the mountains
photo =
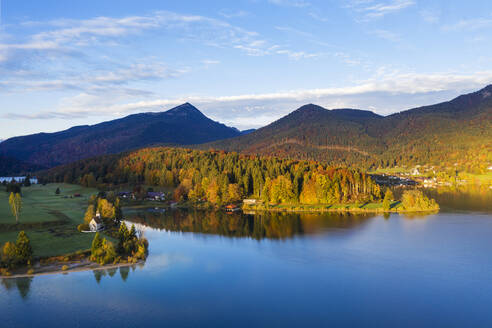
[244, 63]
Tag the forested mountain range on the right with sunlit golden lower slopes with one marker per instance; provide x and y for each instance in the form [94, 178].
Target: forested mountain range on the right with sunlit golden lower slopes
[453, 133]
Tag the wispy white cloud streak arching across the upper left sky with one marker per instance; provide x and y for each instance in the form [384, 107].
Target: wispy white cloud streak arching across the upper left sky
[70, 38]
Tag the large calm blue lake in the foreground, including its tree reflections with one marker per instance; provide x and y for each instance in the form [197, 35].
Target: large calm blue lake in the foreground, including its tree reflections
[280, 270]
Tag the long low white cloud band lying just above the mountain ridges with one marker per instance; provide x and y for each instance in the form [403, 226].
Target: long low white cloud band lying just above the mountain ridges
[383, 94]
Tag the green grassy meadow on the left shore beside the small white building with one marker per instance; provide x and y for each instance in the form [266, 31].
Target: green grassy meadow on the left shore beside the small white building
[49, 220]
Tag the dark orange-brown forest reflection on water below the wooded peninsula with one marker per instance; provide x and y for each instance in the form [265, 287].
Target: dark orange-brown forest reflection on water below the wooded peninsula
[265, 225]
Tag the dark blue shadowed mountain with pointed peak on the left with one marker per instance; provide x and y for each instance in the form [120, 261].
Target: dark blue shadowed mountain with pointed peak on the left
[181, 125]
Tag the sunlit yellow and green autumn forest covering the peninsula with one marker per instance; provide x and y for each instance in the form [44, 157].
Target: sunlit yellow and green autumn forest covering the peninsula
[220, 177]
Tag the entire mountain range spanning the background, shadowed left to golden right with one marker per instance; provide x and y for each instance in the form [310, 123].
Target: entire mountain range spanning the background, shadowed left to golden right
[453, 133]
